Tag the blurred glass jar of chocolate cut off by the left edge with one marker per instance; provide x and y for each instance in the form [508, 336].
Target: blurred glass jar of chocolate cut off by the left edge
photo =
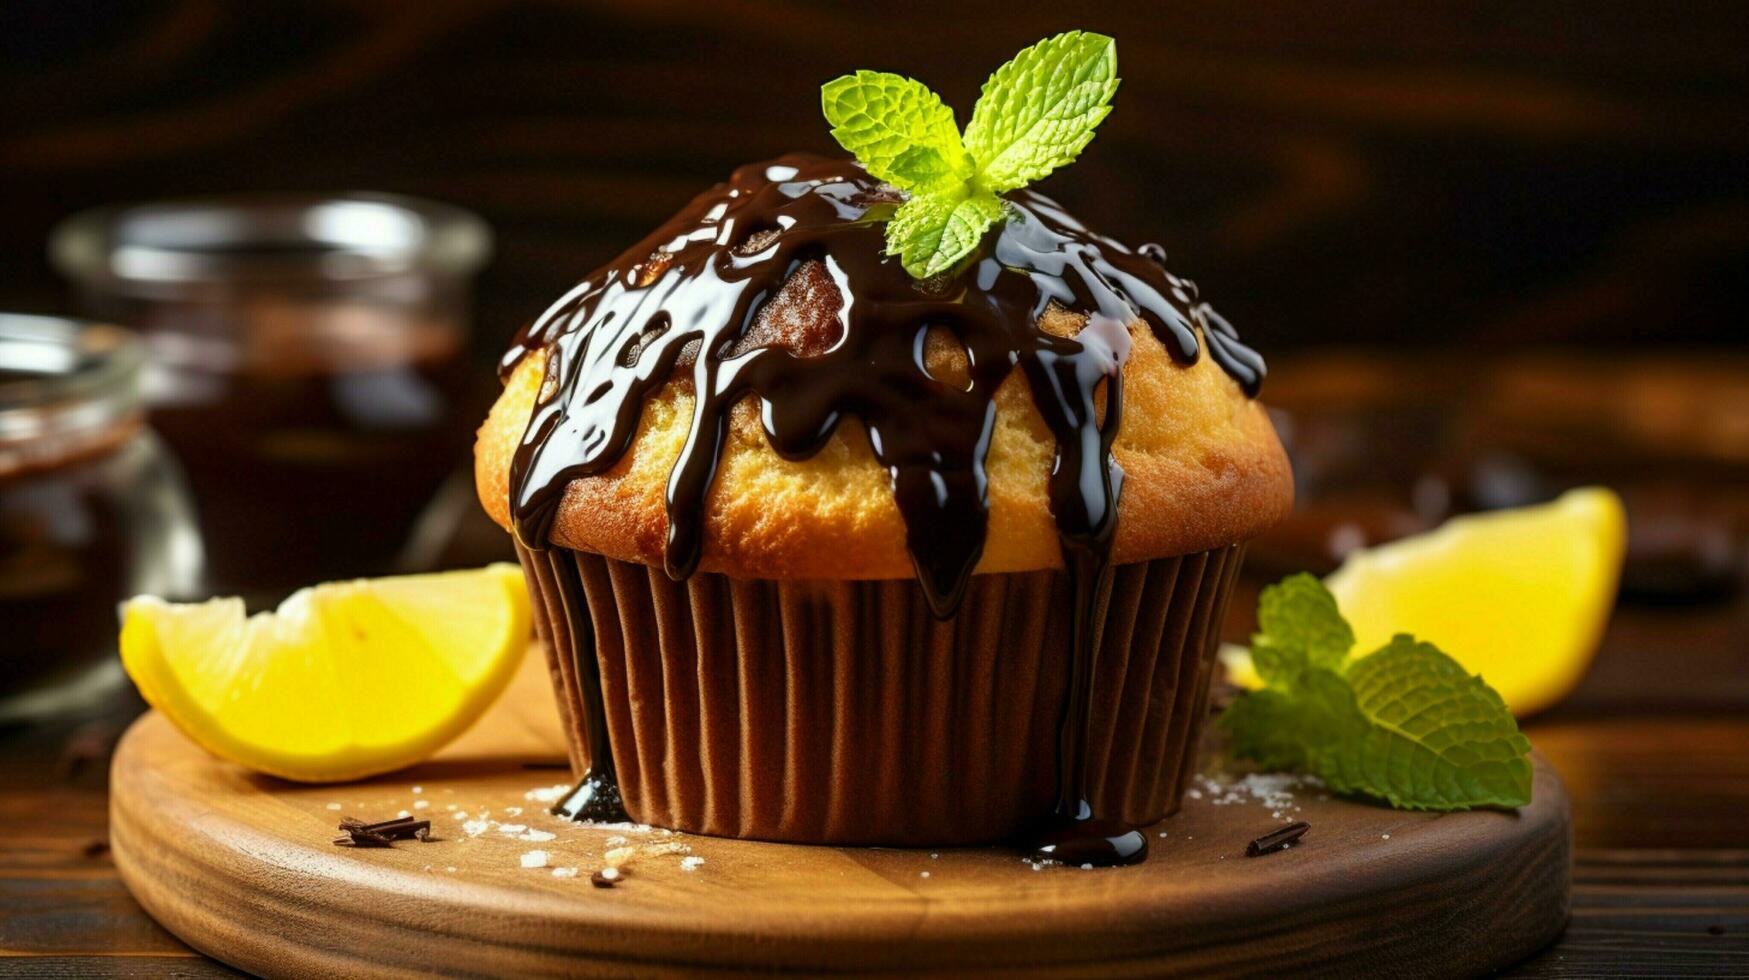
[92, 510]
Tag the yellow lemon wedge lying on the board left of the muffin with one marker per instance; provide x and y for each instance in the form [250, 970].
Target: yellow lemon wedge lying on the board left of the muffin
[344, 682]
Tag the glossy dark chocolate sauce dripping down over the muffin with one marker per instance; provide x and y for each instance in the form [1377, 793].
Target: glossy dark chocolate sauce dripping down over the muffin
[688, 297]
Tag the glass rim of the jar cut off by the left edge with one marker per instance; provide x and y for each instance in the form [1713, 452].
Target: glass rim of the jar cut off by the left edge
[64, 384]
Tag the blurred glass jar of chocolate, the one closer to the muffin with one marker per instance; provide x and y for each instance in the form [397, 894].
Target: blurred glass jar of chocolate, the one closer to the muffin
[309, 367]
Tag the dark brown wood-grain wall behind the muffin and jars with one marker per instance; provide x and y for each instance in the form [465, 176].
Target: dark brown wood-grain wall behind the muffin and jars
[1330, 171]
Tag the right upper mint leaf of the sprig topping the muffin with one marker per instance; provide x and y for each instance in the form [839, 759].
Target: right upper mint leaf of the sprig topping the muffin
[1040, 111]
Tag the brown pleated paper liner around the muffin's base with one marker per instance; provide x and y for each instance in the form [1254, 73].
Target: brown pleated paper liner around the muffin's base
[846, 713]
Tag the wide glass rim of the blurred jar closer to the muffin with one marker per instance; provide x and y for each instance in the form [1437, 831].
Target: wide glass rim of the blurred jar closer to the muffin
[340, 237]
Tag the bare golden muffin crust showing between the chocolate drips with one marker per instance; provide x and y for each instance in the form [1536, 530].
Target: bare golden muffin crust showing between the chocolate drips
[1202, 470]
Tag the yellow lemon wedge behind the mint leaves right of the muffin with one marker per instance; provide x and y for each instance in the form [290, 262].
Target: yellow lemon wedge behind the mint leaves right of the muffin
[1519, 596]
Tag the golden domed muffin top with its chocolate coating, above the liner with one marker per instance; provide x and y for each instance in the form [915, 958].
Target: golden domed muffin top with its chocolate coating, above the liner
[758, 389]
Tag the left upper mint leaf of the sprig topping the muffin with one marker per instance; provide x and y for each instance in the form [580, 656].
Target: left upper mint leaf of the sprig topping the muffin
[900, 130]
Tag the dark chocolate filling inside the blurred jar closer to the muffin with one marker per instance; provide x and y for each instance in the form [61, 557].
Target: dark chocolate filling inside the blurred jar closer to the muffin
[317, 442]
